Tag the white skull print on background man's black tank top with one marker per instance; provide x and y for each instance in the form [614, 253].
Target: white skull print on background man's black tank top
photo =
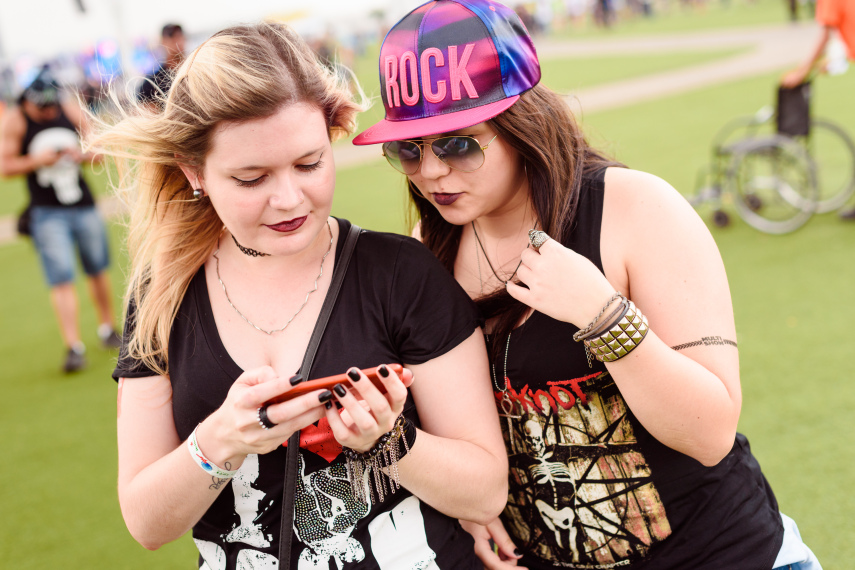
[62, 176]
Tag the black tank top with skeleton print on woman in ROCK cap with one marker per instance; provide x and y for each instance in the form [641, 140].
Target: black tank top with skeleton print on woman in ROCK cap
[589, 486]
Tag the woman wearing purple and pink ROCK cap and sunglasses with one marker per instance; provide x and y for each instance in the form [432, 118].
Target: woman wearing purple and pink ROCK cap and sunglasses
[609, 318]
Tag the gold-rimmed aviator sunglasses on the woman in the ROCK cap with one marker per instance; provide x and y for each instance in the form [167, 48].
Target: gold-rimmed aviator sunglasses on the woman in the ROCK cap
[463, 153]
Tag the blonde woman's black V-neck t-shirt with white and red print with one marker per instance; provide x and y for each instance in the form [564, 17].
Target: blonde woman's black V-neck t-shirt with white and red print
[397, 305]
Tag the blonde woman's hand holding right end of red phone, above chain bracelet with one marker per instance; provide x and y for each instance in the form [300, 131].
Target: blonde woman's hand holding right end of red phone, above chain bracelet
[364, 419]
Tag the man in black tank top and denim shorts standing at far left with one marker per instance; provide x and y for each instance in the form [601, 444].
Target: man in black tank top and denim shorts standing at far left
[39, 140]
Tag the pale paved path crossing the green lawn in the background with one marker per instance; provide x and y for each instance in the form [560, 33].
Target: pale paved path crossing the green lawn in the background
[769, 48]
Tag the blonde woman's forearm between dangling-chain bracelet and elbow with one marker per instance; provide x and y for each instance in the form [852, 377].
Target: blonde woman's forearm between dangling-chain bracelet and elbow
[456, 477]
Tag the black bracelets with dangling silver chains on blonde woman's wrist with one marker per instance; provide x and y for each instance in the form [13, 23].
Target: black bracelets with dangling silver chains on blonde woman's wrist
[389, 449]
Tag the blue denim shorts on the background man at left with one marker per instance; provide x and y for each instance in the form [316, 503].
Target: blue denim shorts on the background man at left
[56, 231]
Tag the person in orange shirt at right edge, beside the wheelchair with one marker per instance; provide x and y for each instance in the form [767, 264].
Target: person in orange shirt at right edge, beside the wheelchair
[834, 16]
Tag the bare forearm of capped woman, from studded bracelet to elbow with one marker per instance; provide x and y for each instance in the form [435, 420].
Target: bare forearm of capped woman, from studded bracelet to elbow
[680, 402]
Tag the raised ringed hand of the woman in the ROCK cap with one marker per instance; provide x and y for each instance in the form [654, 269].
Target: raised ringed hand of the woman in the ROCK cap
[561, 283]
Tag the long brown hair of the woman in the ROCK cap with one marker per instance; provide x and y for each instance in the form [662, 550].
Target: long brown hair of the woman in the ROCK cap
[555, 154]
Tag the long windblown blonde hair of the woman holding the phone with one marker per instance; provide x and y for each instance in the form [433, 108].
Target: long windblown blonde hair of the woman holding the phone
[240, 73]
